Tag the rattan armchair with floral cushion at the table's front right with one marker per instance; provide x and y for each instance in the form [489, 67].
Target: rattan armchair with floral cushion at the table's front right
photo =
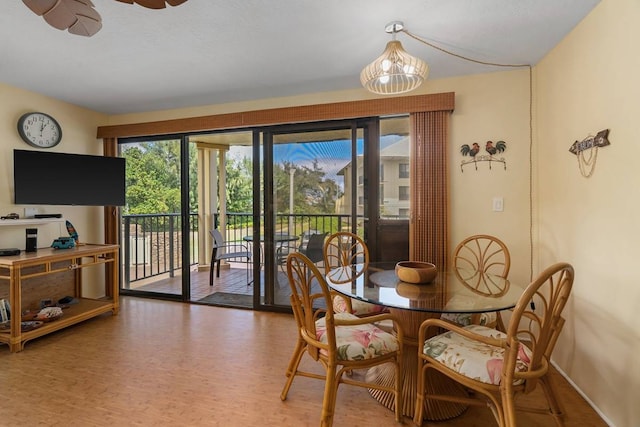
[498, 366]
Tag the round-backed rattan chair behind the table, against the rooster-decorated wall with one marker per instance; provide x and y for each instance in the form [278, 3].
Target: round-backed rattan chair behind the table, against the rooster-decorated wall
[475, 260]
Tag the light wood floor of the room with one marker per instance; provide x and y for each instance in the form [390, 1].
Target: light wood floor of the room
[161, 363]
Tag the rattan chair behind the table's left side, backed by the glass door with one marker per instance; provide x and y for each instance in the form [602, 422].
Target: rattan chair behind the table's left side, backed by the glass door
[347, 256]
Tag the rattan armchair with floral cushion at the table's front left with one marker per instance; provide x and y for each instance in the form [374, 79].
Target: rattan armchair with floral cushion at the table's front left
[340, 342]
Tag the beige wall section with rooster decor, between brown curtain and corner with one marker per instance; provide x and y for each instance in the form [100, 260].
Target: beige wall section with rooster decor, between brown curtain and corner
[491, 107]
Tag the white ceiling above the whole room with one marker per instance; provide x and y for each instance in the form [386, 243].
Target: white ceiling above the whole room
[214, 51]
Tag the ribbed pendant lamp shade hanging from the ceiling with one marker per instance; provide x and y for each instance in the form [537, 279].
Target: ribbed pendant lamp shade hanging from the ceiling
[394, 72]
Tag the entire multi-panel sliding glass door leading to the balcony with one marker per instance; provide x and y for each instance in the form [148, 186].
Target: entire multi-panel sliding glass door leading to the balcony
[268, 191]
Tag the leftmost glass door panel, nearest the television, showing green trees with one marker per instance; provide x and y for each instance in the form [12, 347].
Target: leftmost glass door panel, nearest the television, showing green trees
[158, 234]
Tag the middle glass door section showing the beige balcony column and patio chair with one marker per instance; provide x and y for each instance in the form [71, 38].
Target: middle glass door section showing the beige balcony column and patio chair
[225, 209]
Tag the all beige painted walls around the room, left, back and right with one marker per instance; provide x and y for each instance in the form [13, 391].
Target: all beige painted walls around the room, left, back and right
[585, 85]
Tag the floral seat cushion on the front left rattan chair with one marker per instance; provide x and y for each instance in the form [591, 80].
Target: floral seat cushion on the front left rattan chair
[358, 342]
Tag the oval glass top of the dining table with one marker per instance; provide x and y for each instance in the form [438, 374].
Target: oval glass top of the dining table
[455, 291]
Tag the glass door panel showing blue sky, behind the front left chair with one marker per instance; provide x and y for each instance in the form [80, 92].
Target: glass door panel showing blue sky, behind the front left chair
[310, 190]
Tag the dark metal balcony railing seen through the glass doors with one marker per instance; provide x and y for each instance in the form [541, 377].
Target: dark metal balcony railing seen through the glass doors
[152, 243]
